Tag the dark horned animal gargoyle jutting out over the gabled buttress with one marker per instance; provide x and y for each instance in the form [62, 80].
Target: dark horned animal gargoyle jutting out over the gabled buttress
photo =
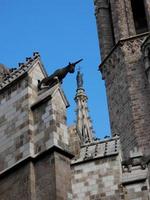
[57, 76]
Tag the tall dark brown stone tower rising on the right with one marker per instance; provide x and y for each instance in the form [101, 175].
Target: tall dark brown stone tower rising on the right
[123, 29]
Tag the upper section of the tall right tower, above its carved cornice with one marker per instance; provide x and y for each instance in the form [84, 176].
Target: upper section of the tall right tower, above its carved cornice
[120, 19]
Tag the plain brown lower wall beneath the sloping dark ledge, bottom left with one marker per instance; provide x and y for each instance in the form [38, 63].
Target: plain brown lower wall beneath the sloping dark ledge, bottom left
[47, 177]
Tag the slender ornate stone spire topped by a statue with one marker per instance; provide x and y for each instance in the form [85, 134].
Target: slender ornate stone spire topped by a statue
[84, 124]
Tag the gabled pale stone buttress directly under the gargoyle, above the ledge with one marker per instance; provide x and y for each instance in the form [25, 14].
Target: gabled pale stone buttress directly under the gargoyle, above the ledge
[50, 121]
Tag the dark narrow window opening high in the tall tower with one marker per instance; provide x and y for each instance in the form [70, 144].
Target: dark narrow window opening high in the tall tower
[139, 16]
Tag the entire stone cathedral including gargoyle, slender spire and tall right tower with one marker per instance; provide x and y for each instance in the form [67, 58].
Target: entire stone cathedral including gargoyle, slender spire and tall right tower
[41, 158]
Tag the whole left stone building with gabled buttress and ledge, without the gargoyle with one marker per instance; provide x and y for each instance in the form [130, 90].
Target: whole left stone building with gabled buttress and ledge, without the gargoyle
[33, 136]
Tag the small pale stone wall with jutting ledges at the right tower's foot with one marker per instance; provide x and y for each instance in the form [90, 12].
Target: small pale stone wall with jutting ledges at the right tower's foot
[135, 177]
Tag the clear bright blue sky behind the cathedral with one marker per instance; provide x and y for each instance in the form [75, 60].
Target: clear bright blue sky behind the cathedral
[62, 31]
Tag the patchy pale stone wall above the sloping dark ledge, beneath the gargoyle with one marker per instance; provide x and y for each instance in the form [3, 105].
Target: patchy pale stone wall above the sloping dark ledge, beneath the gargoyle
[26, 131]
